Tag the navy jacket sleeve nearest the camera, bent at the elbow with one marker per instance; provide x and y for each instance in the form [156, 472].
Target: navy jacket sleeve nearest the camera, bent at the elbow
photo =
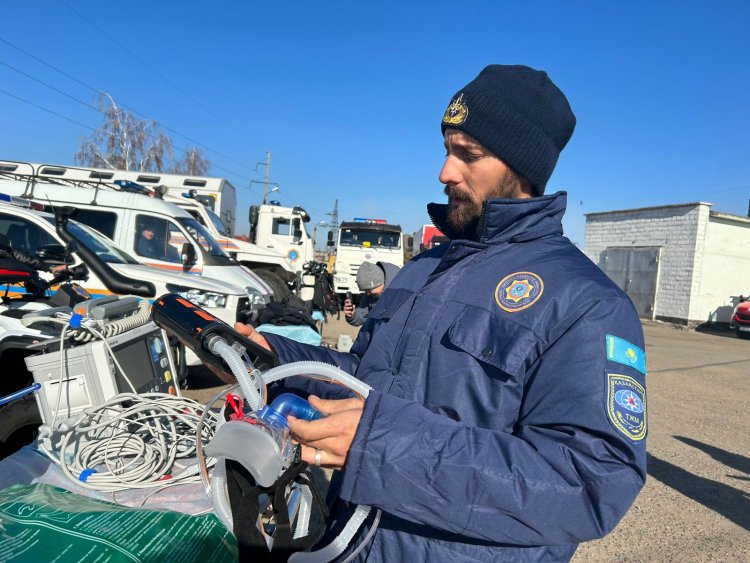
[565, 474]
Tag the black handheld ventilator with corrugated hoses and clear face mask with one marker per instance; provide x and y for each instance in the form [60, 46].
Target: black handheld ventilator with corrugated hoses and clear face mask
[255, 435]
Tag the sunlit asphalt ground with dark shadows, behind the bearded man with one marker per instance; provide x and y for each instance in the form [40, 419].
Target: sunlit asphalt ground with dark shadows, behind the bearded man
[696, 503]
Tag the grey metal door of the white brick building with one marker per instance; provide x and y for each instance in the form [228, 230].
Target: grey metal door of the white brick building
[635, 271]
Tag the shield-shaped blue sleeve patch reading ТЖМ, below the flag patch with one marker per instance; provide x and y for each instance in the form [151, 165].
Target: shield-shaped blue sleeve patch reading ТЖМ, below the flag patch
[626, 406]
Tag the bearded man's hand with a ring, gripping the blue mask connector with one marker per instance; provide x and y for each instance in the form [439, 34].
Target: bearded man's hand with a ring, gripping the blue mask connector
[333, 435]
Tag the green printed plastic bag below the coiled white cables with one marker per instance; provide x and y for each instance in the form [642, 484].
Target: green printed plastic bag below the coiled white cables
[44, 523]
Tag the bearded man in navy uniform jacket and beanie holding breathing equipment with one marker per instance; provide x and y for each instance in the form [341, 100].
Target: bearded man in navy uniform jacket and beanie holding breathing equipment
[507, 419]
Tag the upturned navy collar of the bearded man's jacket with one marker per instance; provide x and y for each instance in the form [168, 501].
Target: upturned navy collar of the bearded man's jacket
[510, 220]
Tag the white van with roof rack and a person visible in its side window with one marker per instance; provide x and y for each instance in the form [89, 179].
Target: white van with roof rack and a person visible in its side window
[157, 233]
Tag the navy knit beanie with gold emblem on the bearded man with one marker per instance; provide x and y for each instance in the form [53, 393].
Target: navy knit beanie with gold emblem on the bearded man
[517, 113]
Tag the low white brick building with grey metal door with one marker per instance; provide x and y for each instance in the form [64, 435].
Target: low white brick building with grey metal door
[680, 263]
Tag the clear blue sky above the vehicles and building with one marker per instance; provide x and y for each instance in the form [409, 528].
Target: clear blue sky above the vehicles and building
[348, 96]
